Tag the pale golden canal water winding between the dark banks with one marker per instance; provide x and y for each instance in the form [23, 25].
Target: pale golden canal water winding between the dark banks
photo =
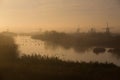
[29, 46]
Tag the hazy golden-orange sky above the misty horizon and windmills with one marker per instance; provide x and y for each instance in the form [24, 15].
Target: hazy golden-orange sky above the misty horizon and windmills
[61, 15]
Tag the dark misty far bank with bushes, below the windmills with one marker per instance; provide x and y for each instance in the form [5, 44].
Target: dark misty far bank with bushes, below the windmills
[80, 39]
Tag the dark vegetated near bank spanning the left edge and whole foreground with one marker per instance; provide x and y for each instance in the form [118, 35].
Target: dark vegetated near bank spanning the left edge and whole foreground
[43, 68]
